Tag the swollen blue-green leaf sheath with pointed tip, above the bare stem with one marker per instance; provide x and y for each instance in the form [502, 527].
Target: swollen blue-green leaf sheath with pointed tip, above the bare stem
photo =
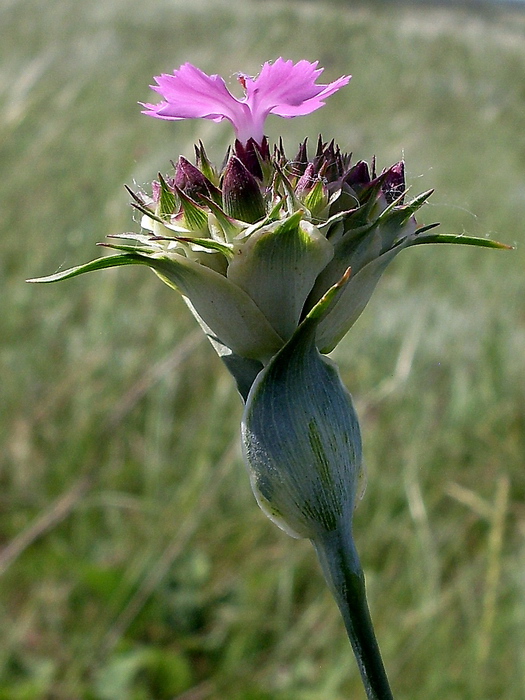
[301, 437]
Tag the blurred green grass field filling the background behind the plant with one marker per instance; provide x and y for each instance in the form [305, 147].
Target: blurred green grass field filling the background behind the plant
[136, 564]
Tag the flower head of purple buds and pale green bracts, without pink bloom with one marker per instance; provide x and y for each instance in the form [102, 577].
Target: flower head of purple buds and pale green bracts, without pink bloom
[252, 249]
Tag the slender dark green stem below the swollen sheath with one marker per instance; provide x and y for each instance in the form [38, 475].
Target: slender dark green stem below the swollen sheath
[343, 573]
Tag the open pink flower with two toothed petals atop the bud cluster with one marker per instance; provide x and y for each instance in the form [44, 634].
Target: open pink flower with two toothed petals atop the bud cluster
[282, 88]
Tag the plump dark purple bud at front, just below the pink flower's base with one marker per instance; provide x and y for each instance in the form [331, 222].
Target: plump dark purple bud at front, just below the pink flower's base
[241, 194]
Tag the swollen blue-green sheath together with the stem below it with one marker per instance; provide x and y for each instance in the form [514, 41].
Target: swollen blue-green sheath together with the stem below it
[302, 448]
